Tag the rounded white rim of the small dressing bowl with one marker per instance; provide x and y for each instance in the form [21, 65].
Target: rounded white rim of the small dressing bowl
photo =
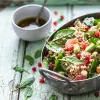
[30, 5]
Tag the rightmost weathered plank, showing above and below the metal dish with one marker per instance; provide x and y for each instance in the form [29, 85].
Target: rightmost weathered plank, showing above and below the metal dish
[78, 11]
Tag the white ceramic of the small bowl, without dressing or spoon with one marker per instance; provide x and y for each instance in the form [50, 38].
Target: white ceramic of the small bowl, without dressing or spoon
[30, 11]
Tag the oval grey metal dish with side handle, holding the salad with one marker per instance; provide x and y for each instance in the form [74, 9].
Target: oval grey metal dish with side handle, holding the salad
[64, 84]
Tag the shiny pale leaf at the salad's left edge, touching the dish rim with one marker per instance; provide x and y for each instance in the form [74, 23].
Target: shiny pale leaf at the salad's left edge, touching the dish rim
[53, 47]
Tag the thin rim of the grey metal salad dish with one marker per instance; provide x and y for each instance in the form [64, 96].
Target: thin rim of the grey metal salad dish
[97, 14]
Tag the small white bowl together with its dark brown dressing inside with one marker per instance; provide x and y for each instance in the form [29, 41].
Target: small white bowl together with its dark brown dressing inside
[23, 19]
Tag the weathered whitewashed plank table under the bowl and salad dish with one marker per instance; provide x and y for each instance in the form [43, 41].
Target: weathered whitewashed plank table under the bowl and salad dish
[13, 50]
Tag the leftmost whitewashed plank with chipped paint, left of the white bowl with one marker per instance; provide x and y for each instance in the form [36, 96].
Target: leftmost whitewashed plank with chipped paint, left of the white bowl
[9, 49]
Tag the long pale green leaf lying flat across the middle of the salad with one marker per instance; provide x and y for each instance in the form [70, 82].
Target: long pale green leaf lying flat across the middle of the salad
[71, 59]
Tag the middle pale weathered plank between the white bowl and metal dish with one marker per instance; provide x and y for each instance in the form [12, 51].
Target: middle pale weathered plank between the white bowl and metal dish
[41, 91]
